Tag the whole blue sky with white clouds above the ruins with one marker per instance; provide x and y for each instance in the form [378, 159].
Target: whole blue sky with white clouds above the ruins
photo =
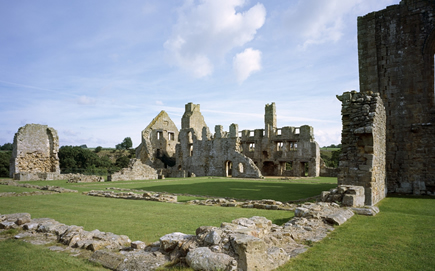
[99, 71]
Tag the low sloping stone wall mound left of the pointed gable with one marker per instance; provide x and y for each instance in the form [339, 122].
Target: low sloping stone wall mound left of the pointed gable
[136, 170]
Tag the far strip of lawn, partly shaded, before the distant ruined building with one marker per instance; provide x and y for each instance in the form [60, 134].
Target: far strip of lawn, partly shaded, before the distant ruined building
[282, 190]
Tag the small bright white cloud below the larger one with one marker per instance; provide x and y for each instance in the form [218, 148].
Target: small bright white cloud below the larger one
[245, 63]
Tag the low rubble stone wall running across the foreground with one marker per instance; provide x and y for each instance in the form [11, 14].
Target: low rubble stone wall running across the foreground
[244, 244]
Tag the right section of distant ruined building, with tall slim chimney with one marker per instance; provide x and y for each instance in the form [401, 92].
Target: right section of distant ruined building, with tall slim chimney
[289, 151]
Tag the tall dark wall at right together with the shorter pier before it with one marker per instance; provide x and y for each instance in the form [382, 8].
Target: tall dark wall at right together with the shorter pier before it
[392, 149]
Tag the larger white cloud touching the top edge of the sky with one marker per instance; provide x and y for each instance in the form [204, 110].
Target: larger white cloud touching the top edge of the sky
[207, 30]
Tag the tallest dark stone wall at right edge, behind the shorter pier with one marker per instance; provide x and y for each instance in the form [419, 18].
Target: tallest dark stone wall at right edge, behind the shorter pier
[396, 48]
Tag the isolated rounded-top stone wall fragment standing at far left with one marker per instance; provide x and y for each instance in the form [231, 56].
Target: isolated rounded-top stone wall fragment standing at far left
[35, 151]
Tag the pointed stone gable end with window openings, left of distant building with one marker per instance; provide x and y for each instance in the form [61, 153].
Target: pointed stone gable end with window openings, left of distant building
[159, 140]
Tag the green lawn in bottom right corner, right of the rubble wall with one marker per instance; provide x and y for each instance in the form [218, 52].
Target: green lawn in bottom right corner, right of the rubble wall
[400, 237]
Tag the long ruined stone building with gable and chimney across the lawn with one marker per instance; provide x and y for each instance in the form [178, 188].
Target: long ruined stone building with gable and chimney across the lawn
[288, 151]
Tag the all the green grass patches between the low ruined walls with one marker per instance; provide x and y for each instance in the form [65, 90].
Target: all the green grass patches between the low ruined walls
[401, 237]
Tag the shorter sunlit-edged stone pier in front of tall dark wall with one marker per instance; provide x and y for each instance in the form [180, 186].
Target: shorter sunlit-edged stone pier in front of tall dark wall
[362, 161]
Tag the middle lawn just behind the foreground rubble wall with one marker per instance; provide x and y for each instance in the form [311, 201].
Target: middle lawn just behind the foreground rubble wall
[140, 220]
